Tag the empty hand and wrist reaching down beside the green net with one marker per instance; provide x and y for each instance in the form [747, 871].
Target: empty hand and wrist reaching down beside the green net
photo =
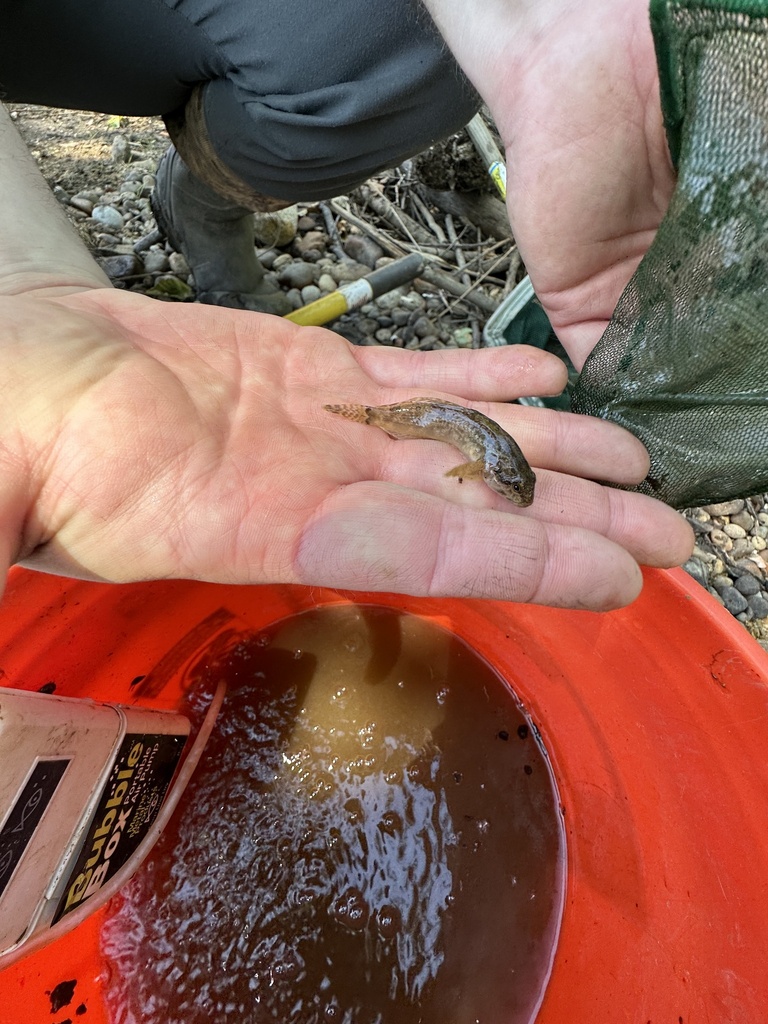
[574, 91]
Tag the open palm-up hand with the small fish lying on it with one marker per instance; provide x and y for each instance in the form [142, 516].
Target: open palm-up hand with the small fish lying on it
[143, 440]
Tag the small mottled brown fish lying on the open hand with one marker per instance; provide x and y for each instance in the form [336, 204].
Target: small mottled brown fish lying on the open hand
[492, 454]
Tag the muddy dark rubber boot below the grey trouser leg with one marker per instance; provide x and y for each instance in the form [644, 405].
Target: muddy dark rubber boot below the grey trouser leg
[217, 238]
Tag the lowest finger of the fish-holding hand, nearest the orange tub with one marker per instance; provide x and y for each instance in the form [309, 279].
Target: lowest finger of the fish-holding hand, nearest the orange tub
[376, 536]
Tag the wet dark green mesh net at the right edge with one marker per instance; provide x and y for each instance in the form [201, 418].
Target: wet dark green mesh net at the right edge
[685, 362]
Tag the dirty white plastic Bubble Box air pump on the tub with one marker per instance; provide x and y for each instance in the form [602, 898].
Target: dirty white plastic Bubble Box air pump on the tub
[81, 789]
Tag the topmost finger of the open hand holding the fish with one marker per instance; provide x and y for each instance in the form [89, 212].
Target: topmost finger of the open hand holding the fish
[487, 375]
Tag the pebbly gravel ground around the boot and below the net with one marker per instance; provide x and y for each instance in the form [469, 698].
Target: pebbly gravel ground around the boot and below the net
[102, 170]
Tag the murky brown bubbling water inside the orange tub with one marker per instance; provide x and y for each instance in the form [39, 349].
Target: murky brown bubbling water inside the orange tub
[372, 838]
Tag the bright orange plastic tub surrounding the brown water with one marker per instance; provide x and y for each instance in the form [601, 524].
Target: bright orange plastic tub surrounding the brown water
[656, 719]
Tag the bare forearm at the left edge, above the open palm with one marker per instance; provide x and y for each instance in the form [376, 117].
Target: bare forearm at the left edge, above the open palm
[38, 247]
